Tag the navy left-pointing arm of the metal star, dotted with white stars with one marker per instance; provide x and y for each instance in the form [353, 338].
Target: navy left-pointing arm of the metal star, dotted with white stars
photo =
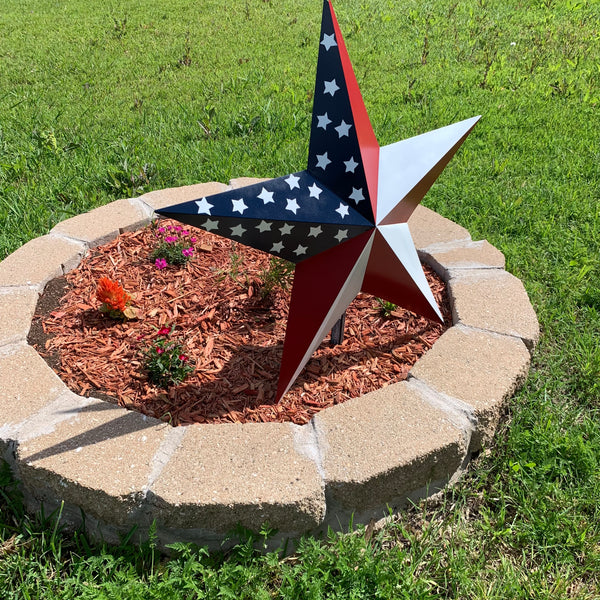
[292, 217]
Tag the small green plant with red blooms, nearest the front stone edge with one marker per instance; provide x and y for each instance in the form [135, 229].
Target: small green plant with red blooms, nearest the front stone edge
[165, 360]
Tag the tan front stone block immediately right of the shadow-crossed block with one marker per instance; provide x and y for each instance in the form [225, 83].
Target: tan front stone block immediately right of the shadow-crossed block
[231, 473]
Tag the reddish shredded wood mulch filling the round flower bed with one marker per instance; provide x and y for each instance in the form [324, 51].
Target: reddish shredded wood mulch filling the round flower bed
[230, 331]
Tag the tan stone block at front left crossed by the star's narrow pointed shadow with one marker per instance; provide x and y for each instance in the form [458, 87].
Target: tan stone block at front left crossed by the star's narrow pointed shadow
[99, 459]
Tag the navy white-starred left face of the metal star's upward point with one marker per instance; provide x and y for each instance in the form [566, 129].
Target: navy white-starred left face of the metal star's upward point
[334, 155]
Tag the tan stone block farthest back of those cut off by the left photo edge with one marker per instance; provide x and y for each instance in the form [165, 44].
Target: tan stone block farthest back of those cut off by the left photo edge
[39, 261]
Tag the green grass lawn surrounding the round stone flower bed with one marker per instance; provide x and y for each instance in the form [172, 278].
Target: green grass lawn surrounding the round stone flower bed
[104, 100]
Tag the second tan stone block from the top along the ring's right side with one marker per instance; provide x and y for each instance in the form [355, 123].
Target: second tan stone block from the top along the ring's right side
[467, 255]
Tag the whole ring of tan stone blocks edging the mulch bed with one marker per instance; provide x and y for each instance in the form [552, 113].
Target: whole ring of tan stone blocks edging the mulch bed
[115, 469]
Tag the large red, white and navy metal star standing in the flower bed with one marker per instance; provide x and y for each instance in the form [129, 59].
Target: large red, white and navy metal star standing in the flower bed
[343, 220]
